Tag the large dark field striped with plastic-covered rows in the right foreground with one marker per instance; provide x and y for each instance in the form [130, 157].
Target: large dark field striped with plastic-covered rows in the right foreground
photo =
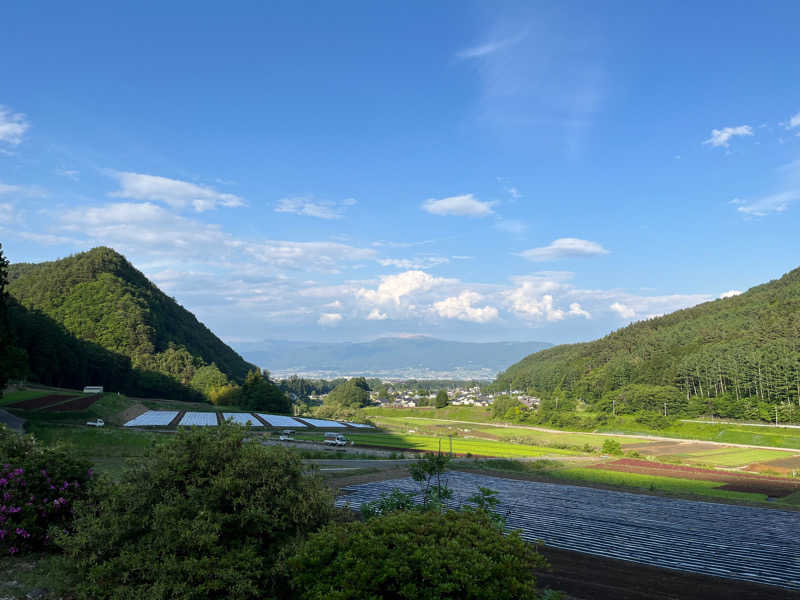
[735, 542]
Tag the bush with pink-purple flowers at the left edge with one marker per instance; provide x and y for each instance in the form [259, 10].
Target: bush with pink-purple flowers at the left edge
[38, 488]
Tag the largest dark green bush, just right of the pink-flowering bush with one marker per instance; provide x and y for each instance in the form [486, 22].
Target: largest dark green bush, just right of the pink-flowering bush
[203, 516]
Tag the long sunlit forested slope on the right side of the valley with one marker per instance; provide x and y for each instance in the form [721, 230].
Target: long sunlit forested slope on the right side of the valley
[740, 353]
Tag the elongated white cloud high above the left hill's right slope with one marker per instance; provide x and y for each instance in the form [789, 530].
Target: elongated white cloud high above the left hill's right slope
[173, 192]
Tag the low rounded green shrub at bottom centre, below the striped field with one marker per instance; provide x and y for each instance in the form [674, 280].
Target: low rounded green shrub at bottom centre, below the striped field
[414, 555]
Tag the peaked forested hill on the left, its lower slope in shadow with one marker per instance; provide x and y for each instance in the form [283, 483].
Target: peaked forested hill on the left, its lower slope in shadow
[93, 317]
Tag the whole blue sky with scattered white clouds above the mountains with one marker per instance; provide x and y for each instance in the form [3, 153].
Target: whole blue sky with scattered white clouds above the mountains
[474, 171]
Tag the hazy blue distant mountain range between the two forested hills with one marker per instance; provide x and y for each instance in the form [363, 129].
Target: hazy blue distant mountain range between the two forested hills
[417, 357]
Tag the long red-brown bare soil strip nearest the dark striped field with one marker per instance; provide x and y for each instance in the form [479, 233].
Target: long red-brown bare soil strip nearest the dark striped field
[776, 487]
